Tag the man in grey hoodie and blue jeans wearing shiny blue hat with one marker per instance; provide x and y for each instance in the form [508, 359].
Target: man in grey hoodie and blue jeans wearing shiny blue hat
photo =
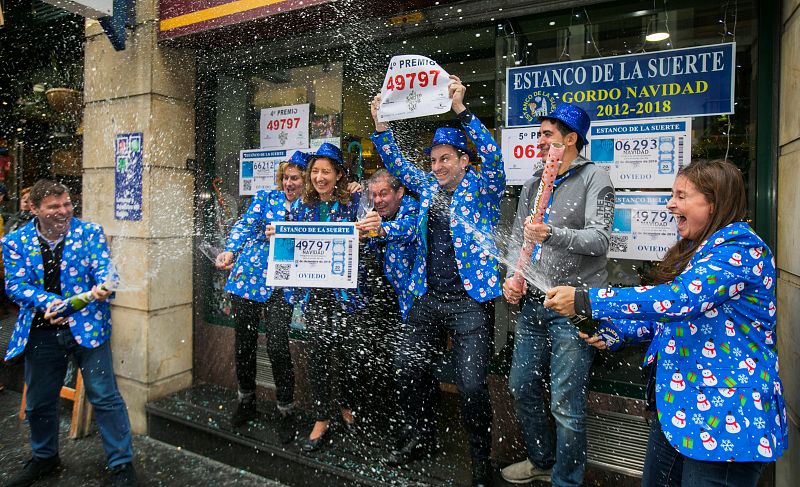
[574, 242]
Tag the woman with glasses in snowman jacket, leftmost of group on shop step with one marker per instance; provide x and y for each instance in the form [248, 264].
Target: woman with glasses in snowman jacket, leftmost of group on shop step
[249, 246]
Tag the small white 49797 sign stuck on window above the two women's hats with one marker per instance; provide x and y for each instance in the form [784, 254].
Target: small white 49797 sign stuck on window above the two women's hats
[284, 127]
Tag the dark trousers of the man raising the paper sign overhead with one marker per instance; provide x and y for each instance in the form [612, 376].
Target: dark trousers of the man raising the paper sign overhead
[469, 323]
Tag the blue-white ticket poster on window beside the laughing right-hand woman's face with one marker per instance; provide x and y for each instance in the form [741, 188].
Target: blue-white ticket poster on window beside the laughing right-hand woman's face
[643, 227]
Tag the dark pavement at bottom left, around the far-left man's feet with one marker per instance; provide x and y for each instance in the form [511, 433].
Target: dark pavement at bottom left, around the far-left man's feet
[156, 463]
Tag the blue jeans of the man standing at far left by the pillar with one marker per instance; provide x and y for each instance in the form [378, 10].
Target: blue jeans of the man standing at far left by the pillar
[45, 365]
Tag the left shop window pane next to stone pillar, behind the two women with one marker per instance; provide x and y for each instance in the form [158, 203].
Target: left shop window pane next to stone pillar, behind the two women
[239, 98]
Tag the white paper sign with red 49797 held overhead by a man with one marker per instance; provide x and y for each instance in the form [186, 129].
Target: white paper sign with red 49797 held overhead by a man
[415, 86]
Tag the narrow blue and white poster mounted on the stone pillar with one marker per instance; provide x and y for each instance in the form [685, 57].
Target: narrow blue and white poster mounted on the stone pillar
[128, 176]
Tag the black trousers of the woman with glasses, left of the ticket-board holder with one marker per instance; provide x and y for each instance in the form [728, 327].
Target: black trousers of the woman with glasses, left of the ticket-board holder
[247, 315]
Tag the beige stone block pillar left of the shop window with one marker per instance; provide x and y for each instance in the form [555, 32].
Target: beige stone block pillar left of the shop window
[146, 88]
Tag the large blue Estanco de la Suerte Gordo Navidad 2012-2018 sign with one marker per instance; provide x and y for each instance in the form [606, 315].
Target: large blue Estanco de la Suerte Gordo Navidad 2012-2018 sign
[695, 81]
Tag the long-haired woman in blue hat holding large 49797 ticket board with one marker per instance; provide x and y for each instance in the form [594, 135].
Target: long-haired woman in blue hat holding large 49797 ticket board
[329, 313]
